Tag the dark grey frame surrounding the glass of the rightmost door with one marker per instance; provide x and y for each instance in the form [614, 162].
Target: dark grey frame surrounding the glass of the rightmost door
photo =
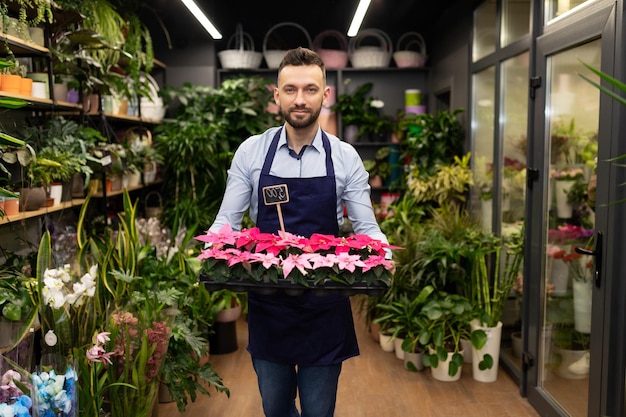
[600, 19]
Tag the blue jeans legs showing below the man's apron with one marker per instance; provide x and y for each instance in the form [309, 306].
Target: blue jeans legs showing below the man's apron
[279, 382]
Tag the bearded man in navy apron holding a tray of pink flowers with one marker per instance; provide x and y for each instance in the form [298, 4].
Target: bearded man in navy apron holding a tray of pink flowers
[298, 343]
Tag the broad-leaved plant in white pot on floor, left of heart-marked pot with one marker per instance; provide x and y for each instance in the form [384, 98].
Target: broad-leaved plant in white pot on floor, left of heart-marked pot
[444, 320]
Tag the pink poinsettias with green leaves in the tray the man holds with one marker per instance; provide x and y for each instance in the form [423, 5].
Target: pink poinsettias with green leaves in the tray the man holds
[265, 257]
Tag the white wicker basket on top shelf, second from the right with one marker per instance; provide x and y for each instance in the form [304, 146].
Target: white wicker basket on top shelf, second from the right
[366, 56]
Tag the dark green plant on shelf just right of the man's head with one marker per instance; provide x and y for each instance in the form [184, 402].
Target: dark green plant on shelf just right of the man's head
[363, 111]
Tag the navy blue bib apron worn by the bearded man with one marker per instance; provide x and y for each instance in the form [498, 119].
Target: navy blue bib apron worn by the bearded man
[304, 329]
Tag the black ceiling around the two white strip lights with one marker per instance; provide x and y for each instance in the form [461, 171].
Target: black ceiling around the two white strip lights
[394, 17]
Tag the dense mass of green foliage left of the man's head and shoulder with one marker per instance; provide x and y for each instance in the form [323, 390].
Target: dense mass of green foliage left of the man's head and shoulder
[207, 127]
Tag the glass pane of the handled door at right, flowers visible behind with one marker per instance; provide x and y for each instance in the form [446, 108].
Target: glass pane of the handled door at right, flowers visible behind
[572, 115]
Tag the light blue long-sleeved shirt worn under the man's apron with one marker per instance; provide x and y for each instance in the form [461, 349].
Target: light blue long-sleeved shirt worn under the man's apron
[351, 179]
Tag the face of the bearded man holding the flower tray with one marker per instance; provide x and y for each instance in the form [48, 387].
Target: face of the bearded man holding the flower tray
[300, 94]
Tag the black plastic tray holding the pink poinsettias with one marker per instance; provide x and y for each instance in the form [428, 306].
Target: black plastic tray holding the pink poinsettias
[328, 287]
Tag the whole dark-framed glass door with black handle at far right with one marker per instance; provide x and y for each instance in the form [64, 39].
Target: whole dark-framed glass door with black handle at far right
[568, 299]
